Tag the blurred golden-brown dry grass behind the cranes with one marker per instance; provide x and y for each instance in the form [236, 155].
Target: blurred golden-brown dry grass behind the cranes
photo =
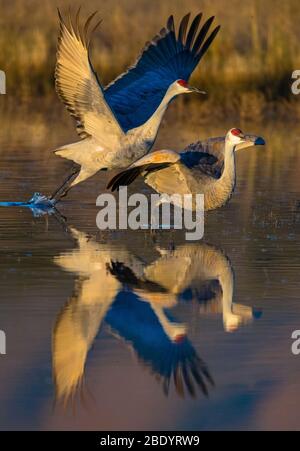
[247, 71]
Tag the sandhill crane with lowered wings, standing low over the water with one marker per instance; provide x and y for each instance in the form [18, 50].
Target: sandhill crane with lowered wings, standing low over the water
[194, 171]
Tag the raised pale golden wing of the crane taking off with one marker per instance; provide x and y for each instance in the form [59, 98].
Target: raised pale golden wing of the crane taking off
[77, 83]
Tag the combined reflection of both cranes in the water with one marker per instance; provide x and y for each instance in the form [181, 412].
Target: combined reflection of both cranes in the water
[133, 298]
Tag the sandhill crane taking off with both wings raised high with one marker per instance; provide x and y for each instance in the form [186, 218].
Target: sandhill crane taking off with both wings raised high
[119, 124]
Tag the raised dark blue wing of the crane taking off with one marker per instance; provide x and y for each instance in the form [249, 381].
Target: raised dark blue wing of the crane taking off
[135, 95]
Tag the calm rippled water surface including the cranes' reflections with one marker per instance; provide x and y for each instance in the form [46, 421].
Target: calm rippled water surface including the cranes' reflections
[138, 331]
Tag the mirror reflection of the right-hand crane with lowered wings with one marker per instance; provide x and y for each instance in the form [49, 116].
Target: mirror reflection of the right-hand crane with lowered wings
[203, 273]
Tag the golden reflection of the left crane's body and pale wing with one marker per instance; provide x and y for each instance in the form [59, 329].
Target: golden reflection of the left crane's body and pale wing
[79, 322]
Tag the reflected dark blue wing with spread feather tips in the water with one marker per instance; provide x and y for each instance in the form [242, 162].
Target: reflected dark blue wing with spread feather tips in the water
[134, 320]
